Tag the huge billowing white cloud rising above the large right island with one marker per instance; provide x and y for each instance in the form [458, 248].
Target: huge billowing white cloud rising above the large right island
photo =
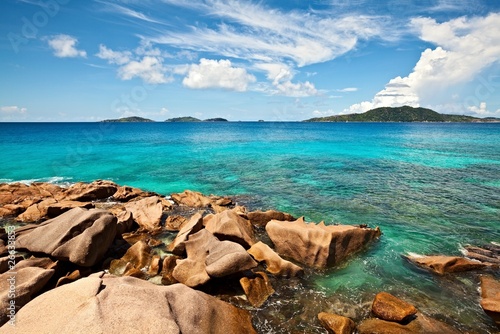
[465, 48]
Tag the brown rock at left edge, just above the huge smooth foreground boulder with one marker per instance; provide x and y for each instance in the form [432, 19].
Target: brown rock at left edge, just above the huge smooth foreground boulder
[23, 284]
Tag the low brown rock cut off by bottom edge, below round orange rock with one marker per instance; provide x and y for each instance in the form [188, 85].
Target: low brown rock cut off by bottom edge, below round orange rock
[420, 325]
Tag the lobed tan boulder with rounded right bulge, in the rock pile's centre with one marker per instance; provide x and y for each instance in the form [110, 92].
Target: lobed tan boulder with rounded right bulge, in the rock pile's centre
[208, 257]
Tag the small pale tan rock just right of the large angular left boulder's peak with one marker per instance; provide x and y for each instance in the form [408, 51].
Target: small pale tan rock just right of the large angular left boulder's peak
[147, 212]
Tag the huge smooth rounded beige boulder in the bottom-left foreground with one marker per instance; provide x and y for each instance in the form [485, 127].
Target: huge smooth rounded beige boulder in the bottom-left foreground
[122, 305]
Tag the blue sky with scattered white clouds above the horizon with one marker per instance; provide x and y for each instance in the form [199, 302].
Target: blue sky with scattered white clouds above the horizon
[245, 60]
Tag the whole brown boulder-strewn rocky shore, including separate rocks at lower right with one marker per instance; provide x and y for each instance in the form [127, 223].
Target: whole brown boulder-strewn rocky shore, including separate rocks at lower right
[99, 257]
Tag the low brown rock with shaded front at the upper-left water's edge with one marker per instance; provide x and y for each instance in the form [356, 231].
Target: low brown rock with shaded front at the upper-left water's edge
[96, 190]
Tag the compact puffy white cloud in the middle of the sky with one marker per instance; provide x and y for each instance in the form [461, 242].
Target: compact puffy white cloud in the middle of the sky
[217, 74]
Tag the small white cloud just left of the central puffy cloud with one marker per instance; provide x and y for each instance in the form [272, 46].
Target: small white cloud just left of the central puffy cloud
[149, 69]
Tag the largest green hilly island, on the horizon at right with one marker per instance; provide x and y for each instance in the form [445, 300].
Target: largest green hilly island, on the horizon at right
[402, 114]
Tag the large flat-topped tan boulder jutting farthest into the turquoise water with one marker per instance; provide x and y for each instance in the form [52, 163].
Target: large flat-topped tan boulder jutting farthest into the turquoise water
[318, 245]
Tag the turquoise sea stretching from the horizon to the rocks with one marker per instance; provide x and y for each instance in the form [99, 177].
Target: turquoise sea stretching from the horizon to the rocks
[432, 188]
